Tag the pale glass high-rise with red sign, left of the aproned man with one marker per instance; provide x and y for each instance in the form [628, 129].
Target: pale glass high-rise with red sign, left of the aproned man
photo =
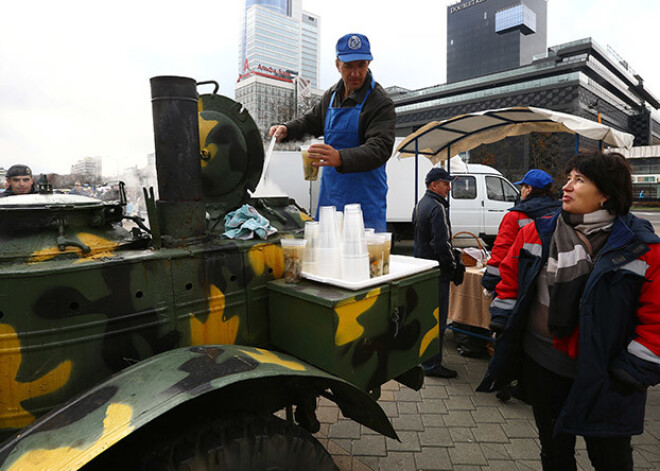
[278, 60]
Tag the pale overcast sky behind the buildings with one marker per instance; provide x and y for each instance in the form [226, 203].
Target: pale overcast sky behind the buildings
[74, 75]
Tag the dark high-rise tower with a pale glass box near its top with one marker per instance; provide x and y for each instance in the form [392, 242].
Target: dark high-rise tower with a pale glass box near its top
[486, 36]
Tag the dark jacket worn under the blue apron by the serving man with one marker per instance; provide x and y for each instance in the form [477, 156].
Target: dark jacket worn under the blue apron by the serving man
[376, 129]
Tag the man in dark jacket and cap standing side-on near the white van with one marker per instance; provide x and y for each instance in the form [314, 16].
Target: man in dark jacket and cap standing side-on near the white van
[433, 242]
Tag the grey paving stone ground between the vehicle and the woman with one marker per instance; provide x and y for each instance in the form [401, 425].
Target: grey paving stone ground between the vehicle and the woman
[448, 426]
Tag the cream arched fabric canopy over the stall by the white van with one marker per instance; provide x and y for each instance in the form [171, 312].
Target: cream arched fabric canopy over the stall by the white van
[439, 140]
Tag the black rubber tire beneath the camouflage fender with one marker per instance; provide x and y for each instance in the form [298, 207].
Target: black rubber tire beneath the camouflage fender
[253, 443]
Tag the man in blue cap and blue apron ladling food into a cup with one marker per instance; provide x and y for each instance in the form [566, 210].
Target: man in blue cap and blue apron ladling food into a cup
[356, 119]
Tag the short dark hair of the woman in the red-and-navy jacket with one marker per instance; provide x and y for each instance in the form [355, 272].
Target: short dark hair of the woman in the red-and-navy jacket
[610, 173]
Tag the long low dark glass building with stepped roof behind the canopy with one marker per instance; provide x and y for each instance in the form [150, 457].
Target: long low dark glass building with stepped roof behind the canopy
[580, 78]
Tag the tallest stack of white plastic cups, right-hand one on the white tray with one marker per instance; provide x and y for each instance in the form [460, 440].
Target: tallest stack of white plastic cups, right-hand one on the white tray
[355, 257]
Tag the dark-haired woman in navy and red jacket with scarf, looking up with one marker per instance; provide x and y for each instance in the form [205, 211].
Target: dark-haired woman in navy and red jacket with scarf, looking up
[577, 317]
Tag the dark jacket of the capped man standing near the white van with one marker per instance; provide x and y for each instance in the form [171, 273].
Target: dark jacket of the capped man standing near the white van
[433, 232]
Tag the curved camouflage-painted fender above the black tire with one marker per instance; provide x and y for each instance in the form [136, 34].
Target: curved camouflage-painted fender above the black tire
[75, 433]
